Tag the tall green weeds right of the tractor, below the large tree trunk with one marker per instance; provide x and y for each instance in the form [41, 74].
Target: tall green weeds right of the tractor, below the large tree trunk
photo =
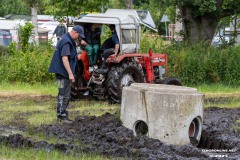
[202, 64]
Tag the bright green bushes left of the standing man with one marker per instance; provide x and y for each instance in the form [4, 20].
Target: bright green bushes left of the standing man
[28, 66]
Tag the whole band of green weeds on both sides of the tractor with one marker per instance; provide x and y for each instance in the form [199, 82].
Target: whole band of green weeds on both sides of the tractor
[194, 65]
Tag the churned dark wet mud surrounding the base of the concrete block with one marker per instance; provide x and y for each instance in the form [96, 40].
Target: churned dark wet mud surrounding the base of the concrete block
[106, 136]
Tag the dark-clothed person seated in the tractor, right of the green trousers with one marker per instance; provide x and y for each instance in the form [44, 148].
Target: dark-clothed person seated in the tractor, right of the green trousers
[110, 47]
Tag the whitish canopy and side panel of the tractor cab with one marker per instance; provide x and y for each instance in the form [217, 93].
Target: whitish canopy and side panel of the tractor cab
[127, 24]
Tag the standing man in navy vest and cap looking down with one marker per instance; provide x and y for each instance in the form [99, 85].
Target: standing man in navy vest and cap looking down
[63, 64]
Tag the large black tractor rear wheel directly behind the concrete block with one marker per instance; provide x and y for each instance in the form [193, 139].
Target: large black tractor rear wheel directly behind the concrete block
[120, 76]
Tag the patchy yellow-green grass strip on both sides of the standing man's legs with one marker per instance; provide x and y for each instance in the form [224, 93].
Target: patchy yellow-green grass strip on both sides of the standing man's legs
[35, 112]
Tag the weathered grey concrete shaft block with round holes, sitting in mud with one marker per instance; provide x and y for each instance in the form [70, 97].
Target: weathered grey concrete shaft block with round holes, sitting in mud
[172, 114]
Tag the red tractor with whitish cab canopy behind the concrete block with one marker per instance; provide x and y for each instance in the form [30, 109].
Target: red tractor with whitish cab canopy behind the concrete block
[129, 66]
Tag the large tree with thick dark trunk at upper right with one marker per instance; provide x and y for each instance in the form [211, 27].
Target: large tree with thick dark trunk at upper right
[200, 18]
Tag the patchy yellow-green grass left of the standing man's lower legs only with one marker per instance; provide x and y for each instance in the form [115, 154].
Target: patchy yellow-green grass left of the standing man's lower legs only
[15, 111]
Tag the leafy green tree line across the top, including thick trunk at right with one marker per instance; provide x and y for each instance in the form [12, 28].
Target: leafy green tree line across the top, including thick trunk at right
[200, 18]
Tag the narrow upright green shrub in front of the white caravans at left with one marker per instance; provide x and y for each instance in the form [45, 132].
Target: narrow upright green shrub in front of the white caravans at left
[25, 33]
